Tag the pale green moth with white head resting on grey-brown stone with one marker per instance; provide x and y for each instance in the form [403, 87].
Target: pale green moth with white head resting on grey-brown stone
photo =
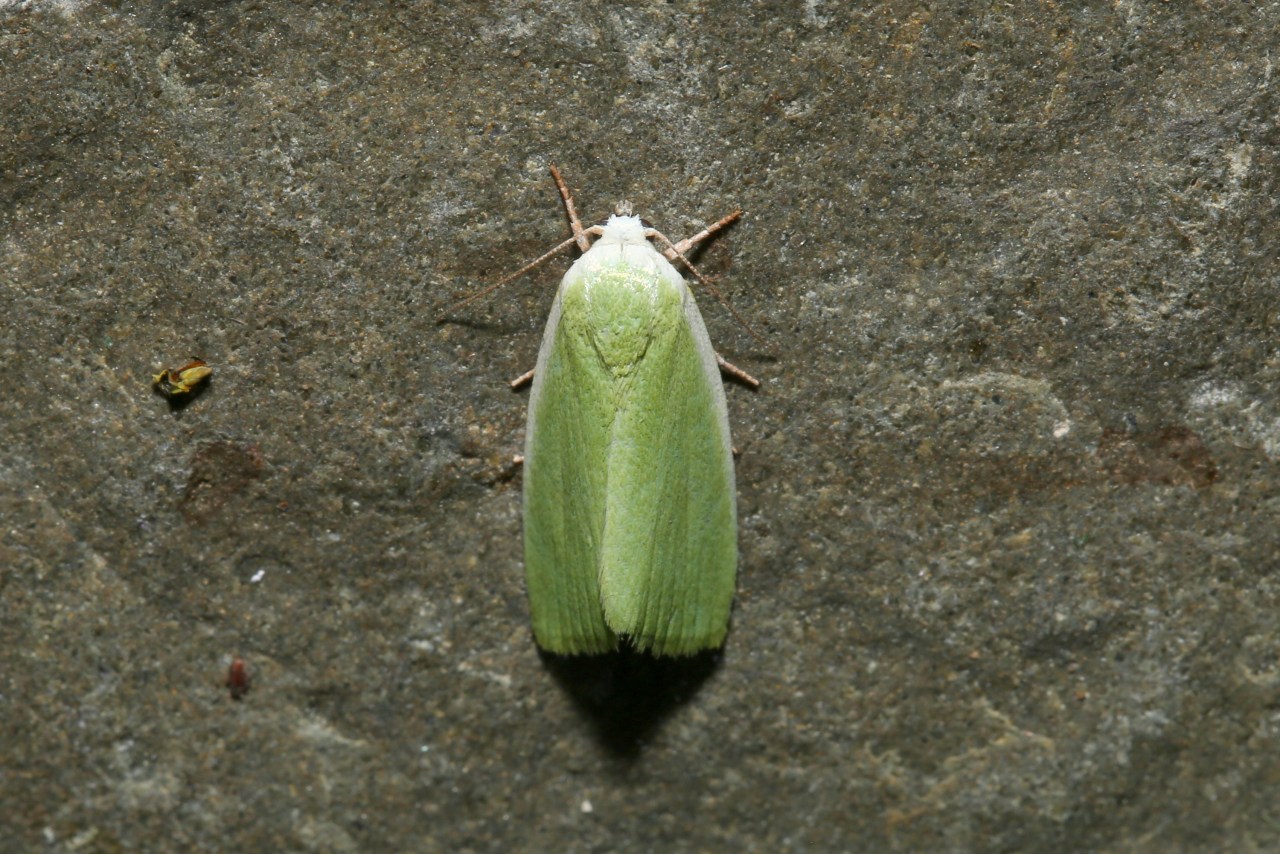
[630, 512]
